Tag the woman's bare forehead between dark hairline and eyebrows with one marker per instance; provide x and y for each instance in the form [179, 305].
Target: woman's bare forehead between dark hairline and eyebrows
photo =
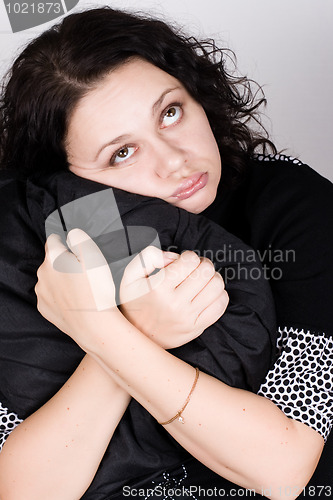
[117, 103]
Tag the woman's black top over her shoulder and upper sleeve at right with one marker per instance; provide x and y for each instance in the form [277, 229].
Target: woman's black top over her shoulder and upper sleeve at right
[285, 205]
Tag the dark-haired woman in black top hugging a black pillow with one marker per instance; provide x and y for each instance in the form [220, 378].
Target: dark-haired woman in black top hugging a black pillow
[281, 453]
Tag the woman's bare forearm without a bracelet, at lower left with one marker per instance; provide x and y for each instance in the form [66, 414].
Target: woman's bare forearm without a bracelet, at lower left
[56, 451]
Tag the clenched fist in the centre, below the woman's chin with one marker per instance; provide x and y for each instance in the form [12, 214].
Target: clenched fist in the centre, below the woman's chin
[176, 304]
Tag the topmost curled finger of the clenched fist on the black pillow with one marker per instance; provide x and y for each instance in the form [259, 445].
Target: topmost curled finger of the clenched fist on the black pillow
[146, 262]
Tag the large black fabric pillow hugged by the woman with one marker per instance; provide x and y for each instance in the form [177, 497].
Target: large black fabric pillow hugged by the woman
[36, 359]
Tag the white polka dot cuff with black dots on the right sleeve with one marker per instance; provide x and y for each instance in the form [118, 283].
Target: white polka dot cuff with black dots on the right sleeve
[301, 381]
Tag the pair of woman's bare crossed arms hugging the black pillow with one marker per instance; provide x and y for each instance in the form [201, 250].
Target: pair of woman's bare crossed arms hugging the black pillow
[240, 435]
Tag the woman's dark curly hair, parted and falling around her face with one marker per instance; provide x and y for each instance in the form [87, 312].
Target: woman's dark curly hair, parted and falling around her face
[59, 67]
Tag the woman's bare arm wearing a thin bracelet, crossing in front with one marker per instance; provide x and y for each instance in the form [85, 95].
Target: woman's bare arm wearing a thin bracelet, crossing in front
[240, 435]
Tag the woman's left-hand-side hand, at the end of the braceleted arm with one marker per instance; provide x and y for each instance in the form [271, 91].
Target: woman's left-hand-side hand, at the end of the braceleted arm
[73, 286]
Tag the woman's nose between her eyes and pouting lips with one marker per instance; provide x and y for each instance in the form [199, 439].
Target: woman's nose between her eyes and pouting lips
[170, 159]
